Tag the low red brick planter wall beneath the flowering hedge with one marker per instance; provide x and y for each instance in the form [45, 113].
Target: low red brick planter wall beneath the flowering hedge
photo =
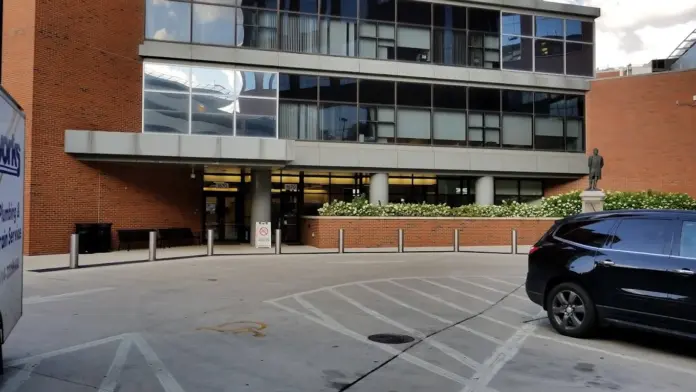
[322, 232]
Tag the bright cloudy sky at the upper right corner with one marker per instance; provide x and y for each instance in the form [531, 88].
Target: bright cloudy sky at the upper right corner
[637, 31]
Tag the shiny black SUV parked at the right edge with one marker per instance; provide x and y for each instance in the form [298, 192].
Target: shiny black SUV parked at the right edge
[632, 268]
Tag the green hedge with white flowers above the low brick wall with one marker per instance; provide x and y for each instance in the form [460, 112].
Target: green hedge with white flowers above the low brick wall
[554, 206]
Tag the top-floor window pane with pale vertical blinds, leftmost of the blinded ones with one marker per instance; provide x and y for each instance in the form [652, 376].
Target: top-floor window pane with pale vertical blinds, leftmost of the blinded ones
[299, 33]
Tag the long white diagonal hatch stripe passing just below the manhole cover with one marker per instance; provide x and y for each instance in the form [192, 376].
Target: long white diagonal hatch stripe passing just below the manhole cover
[405, 356]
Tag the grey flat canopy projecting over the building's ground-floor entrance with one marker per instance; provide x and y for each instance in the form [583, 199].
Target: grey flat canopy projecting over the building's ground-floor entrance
[172, 148]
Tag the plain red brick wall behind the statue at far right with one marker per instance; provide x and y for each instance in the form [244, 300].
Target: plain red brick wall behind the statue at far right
[647, 141]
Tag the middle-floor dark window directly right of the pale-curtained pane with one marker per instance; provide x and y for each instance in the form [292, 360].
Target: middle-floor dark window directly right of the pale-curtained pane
[338, 122]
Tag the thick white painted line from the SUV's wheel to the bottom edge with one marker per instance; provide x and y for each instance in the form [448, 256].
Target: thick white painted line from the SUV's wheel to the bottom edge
[502, 355]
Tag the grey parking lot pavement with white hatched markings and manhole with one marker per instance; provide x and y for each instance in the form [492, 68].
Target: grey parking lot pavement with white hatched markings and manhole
[303, 322]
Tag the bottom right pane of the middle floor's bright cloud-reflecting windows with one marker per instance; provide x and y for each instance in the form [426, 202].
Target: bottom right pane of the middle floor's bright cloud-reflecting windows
[256, 117]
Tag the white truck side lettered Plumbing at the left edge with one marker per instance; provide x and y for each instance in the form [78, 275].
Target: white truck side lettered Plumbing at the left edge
[11, 214]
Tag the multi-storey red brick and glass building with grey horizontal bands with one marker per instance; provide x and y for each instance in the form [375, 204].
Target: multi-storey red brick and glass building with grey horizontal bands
[217, 114]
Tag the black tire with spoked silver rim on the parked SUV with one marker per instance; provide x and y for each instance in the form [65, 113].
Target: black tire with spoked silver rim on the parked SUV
[571, 310]
